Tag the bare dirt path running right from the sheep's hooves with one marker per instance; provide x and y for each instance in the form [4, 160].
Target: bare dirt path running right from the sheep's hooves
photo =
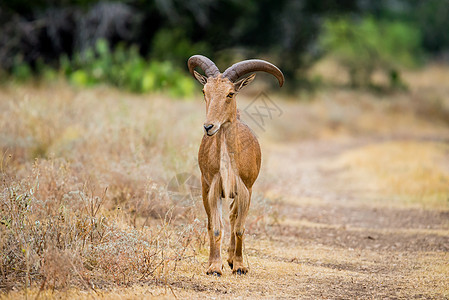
[332, 241]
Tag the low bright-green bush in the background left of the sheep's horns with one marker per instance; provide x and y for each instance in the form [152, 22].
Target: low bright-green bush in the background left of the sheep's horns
[125, 68]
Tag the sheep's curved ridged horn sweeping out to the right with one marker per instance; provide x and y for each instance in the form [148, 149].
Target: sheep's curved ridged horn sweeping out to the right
[239, 69]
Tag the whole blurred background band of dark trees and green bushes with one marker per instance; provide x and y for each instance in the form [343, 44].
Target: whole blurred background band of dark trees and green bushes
[294, 34]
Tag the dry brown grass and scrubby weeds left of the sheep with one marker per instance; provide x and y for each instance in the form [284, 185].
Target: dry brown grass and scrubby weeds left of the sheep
[83, 189]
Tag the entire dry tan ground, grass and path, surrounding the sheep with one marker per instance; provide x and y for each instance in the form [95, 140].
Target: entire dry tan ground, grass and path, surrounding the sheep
[352, 200]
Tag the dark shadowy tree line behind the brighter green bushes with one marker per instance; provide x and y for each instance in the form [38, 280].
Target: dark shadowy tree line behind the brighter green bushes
[285, 31]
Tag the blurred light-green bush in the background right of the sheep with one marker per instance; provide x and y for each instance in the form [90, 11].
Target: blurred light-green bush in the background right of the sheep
[368, 45]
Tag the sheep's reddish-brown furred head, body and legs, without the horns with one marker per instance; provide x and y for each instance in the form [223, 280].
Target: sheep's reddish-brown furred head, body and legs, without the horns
[229, 160]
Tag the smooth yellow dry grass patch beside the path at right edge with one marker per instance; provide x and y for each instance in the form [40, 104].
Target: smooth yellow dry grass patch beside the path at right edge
[409, 171]
